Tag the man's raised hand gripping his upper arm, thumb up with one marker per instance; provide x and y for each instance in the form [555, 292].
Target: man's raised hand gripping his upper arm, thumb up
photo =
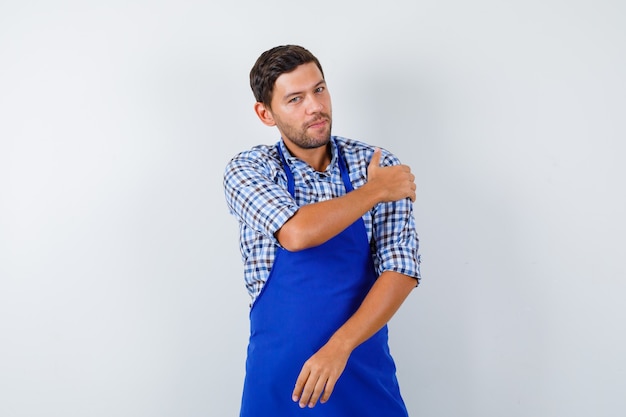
[396, 182]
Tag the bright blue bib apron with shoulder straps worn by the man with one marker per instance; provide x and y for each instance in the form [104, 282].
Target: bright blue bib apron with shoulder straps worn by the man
[307, 297]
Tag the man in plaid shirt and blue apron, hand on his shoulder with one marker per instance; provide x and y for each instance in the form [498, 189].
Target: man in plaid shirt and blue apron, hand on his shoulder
[329, 248]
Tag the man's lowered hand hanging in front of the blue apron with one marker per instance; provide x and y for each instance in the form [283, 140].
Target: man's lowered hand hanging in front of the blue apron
[319, 375]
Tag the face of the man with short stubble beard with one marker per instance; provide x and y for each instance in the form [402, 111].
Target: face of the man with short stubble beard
[301, 107]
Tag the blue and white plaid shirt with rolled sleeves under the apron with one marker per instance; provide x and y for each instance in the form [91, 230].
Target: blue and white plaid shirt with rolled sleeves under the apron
[255, 186]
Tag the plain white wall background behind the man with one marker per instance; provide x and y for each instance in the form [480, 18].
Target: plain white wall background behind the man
[121, 289]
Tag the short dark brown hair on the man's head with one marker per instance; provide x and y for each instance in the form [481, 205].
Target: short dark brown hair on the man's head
[274, 62]
